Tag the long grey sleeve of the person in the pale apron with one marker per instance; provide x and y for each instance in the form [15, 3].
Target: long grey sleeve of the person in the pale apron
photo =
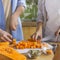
[40, 11]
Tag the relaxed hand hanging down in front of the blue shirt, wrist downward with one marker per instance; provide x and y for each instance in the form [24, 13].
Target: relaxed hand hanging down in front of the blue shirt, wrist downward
[13, 22]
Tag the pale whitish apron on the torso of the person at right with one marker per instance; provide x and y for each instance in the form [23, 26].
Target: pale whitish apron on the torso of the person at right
[53, 11]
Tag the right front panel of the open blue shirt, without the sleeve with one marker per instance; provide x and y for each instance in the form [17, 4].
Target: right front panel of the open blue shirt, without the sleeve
[18, 34]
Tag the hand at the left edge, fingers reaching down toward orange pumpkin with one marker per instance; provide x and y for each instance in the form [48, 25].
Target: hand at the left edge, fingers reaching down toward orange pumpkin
[5, 36]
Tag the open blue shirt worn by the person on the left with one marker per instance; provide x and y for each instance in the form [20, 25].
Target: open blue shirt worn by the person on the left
[17, 34]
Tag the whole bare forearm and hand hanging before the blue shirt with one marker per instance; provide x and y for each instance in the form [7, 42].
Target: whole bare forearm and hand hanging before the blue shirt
[14, 18]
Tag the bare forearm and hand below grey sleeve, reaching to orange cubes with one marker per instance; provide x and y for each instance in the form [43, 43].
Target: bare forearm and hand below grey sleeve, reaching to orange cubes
[38, 34]
